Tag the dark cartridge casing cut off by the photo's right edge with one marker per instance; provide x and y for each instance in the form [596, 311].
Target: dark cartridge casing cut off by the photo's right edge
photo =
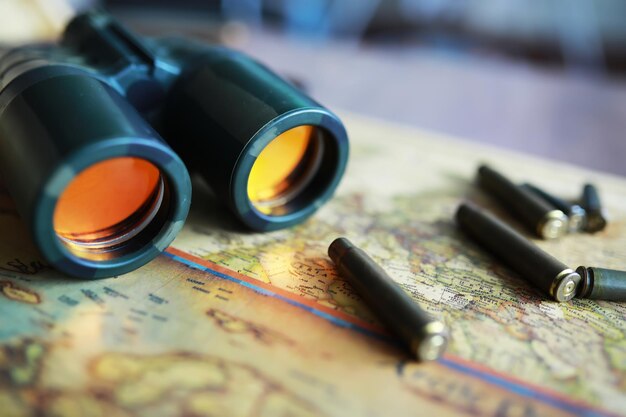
[601, 284]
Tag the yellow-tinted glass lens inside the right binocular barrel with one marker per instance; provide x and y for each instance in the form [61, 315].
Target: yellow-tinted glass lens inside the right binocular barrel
[284, 168]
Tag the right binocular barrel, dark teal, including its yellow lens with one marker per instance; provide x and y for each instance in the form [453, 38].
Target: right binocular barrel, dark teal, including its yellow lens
[269, 151]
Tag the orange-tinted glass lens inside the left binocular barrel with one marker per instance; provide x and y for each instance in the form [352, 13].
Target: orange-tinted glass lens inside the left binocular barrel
[108, 201]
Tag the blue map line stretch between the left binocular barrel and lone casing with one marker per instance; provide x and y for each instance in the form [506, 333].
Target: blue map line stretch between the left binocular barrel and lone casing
[260, 290]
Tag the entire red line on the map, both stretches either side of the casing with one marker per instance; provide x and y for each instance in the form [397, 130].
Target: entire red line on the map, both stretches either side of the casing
[363, 324]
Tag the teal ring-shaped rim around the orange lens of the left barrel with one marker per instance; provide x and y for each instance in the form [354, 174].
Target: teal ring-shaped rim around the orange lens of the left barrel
[173, 172]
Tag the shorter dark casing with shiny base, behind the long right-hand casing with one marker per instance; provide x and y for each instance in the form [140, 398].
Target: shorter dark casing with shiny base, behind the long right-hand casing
[536, 213]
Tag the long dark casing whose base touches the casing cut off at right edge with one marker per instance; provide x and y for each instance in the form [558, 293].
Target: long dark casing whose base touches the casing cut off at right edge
[533, 264]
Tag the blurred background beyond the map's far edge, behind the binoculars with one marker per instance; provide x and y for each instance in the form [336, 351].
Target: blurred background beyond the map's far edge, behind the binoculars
[545, 77]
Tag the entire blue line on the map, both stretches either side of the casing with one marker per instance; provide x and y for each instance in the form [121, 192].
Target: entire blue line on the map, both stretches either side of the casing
[499, 381]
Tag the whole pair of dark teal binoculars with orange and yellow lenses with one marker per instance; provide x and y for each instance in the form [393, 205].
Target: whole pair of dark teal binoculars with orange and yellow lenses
[98, 132]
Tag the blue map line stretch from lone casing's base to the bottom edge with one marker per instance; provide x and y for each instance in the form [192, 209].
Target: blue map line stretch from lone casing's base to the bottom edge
[523, 390]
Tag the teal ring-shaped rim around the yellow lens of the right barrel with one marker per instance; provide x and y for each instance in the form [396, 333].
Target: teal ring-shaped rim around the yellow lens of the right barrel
[320, 118]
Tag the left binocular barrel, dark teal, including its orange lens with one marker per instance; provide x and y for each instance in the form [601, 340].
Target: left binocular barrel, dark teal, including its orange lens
[101, 191]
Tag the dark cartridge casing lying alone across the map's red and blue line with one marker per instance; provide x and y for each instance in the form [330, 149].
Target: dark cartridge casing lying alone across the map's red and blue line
[427, 338]
